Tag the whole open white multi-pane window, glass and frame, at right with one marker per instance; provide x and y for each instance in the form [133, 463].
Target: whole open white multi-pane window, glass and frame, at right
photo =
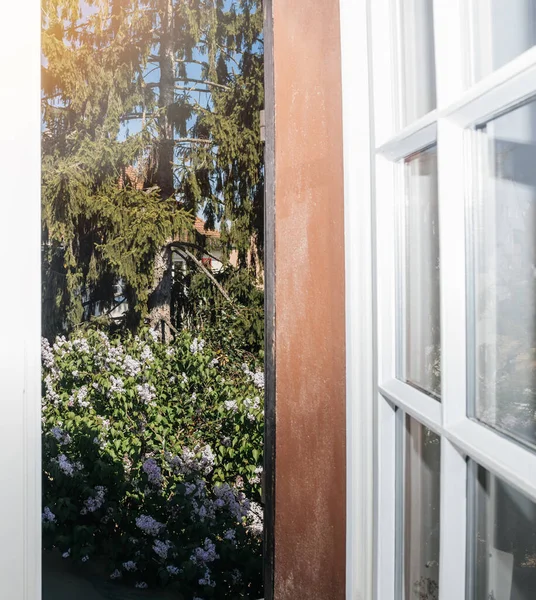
[452, 190]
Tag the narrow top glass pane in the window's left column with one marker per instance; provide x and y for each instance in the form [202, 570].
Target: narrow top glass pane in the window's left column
[419, 58]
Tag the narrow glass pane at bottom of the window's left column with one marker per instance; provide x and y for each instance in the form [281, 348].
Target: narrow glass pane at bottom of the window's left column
[421, 513]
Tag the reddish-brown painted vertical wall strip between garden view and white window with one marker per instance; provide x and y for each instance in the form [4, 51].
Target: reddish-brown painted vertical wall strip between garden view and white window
[304, 115]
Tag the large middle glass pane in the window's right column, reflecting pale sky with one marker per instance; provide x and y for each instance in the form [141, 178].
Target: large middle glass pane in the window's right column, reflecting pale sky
[504, 312]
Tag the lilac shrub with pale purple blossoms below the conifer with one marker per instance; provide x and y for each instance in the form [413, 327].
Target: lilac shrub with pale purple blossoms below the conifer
[151, 461]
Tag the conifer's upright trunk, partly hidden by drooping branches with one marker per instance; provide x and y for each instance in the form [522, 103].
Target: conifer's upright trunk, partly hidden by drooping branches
[160, 299]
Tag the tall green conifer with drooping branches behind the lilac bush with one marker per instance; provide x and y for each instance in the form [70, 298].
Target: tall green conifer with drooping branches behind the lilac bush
[150, 114]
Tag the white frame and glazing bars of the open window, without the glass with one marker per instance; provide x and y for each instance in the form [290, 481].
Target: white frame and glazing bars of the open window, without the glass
[374, 148]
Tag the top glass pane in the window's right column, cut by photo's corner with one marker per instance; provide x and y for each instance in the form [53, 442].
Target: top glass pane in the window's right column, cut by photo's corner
[503, 29]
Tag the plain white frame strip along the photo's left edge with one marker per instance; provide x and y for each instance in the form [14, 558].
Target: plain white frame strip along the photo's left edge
[20, 301]
